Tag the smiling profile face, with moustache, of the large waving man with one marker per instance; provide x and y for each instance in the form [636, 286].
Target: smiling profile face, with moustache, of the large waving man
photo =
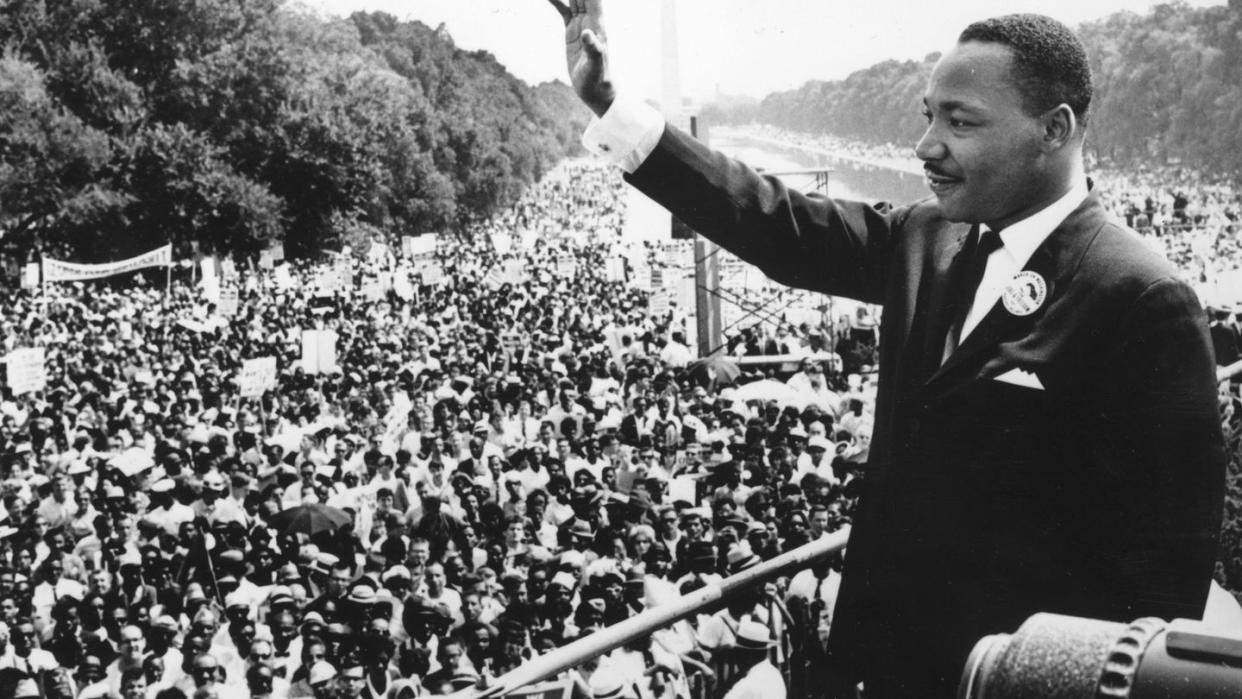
[983, 153]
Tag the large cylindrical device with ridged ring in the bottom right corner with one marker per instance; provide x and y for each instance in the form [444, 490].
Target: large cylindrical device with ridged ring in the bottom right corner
[1063, 657]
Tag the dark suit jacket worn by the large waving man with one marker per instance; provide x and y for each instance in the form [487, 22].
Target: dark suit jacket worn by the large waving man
[1100, 496]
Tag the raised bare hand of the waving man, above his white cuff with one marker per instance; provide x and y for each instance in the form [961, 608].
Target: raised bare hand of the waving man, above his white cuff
[587, 53]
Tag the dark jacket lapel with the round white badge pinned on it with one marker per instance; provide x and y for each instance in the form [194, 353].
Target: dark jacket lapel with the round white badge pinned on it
[1055, 261]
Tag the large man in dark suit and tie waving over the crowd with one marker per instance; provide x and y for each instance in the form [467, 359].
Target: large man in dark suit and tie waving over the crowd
[1046, 429]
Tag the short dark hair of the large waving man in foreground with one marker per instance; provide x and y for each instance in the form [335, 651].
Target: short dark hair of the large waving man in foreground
[1050, 61]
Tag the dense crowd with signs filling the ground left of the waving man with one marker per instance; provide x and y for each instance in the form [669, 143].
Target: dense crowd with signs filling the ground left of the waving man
[502, 453]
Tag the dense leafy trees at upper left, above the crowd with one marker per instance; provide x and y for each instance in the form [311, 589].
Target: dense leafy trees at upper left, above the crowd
[127, 125]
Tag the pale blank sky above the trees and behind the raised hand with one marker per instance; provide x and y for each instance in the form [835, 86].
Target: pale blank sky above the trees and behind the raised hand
[742, 48]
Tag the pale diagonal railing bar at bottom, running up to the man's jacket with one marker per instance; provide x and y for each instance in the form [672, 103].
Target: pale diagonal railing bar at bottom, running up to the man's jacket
[639, 626]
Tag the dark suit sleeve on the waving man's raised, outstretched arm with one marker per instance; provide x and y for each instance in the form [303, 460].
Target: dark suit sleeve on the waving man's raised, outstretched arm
[805, 241]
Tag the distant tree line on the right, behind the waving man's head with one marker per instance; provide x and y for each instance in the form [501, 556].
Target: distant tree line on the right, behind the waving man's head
[1168, 92]
